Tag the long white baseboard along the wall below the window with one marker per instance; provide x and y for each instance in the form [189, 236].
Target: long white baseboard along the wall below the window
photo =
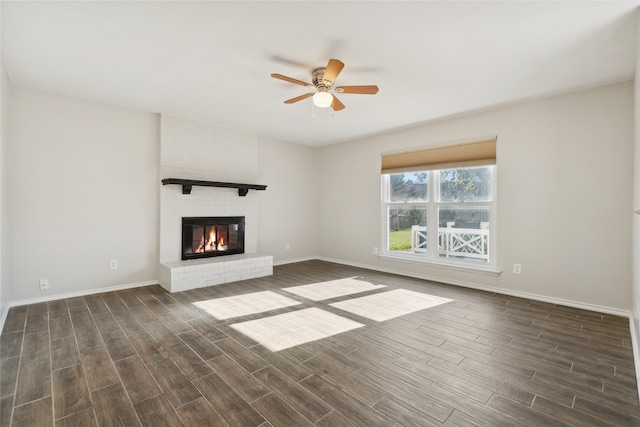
[502, 291]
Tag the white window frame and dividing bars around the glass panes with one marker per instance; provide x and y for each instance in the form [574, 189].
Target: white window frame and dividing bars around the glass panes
[431, 206]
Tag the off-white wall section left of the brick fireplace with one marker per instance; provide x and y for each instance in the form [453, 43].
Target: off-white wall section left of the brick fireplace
[83, 189]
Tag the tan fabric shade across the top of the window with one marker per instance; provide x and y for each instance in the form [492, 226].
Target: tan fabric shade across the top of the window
[477, 153]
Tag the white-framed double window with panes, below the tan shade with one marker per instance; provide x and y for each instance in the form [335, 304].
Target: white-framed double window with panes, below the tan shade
[443, 215]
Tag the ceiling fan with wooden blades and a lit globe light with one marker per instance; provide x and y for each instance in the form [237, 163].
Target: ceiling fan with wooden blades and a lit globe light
[323, 80]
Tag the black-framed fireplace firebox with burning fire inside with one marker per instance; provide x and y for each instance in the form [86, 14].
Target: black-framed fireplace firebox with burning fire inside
[204, 237]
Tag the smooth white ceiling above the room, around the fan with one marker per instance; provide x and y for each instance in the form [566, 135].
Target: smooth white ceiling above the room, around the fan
[212, 60]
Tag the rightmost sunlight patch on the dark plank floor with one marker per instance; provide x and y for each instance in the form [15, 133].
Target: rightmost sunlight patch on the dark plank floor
[387, 305]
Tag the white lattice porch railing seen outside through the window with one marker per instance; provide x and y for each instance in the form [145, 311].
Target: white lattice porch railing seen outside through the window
[458, 242]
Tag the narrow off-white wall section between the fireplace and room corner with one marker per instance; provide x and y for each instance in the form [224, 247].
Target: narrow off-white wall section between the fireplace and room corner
[287, 209]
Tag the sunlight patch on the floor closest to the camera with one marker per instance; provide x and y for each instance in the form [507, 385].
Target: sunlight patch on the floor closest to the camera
[297, 327]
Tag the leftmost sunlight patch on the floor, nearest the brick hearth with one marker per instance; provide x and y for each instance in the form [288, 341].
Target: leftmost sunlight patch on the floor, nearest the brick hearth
[242, 305]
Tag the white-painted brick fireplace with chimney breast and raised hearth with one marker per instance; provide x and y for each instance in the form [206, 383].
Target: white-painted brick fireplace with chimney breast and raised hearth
[192, 150]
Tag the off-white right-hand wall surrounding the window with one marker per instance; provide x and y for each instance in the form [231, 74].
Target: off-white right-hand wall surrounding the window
[564, 196]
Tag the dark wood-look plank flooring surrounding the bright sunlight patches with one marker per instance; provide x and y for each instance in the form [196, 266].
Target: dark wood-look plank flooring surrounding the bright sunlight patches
[146, 357]
